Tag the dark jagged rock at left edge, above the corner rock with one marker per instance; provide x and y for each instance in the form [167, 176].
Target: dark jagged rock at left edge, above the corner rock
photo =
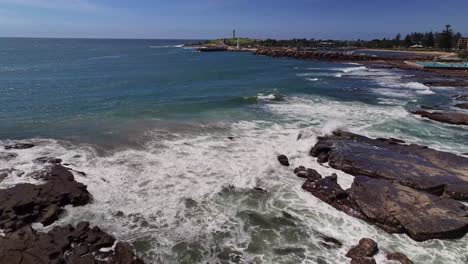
[24, 204]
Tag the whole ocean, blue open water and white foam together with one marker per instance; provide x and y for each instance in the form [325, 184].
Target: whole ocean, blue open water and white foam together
[177, 140]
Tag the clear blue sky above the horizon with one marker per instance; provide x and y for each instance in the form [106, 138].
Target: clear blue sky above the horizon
[200, 19]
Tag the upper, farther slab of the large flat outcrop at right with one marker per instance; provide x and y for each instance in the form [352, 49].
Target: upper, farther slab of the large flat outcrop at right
[419, 167]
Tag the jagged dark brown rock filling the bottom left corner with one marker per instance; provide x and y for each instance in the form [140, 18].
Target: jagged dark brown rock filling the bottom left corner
[64, 245]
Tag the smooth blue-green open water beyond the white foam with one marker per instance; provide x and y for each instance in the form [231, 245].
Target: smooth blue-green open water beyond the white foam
[72, 88]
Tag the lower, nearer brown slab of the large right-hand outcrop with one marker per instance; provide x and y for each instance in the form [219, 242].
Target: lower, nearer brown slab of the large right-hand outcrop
[395, 208]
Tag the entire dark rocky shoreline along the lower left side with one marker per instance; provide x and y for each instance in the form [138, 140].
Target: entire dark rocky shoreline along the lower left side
[26, 204]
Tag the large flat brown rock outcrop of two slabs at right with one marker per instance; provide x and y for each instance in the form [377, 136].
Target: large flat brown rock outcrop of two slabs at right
[399, 187]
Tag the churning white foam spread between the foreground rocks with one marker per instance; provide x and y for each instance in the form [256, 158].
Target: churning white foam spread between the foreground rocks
[175, 185]
